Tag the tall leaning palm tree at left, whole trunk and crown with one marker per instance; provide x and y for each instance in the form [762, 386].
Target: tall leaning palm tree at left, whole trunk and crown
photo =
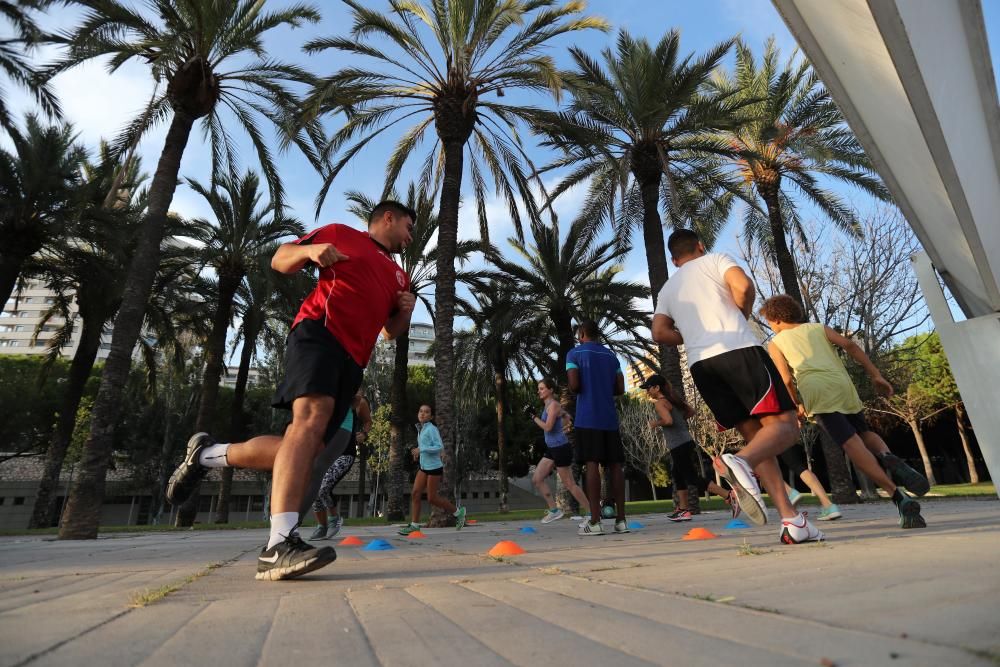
[188, 44]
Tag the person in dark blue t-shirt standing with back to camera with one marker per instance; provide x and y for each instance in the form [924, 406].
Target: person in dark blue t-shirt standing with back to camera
[595, 376]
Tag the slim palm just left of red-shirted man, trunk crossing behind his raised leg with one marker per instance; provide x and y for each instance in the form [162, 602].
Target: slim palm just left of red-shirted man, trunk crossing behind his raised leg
[263, 302]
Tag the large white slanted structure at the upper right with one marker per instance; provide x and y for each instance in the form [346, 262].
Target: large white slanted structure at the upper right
[915, 81]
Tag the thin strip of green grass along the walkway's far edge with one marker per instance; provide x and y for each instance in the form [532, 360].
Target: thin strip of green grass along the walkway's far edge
[638, 507]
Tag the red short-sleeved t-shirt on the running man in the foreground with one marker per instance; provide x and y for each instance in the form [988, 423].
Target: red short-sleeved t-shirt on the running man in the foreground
[356, 296]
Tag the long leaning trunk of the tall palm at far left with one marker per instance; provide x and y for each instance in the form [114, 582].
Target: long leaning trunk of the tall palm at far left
[83, 511]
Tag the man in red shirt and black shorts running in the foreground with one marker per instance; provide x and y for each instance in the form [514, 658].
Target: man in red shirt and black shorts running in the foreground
[361, 292]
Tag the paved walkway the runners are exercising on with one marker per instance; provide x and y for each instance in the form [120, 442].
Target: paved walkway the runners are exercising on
[873, 595]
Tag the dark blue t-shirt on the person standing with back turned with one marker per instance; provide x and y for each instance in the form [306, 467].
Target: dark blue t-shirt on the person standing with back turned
[598, 368]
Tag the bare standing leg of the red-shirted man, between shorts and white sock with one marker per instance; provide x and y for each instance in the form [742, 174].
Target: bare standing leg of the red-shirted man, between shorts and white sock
[302, 443]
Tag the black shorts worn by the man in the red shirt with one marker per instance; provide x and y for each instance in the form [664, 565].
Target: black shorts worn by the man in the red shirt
[315, 363]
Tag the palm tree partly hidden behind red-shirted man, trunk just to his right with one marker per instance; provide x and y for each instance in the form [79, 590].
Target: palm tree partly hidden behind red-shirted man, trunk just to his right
[419, 260]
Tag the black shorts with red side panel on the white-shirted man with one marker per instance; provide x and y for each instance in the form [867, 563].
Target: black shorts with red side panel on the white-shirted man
[741, 384]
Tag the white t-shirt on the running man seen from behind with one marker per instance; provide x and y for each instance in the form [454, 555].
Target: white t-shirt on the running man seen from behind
[699, 302]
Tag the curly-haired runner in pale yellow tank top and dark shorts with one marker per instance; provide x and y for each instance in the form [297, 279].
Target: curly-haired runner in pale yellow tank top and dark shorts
[811, 369]
